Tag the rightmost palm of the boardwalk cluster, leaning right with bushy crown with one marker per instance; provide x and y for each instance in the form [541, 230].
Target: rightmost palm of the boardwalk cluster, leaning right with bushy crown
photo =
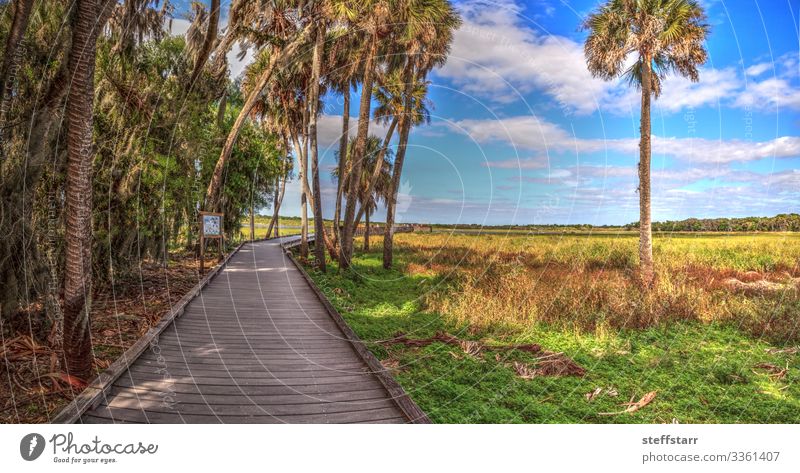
[426, 32]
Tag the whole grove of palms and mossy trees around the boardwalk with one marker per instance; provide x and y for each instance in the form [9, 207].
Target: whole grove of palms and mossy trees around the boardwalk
[116, 134]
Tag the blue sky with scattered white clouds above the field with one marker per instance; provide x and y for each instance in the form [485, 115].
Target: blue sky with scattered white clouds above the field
[521, 133]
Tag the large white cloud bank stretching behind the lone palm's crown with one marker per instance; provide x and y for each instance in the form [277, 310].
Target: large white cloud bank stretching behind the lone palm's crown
[497, 55]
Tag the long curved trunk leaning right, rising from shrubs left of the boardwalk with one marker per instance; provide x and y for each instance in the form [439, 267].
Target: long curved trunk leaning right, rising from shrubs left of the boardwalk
[212, 193]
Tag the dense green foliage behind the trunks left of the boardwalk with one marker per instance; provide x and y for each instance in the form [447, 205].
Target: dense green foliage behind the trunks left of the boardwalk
[154, 145]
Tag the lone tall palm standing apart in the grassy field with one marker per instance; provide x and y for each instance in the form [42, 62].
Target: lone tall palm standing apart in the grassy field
[666, 36]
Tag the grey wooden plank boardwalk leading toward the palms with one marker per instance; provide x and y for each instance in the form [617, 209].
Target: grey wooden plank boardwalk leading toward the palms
[257, 345]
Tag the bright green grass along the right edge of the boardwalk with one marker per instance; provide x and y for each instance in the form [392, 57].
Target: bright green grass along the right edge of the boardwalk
[702, 372]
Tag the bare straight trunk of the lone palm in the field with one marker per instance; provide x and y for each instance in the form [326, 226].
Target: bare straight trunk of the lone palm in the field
[645, 230]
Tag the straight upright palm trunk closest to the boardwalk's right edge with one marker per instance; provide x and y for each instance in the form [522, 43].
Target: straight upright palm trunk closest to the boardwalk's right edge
[316, 71]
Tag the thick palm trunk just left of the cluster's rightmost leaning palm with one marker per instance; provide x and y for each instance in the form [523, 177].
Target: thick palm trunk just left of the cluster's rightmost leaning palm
[346, 245]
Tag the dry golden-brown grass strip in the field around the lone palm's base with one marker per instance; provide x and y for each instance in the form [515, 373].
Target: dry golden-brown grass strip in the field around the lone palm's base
[589, 283]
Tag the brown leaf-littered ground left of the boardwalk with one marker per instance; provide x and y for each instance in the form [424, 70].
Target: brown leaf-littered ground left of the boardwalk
[33, 389]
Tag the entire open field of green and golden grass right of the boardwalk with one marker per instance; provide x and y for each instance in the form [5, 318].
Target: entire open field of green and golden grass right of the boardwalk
[717, 340]
